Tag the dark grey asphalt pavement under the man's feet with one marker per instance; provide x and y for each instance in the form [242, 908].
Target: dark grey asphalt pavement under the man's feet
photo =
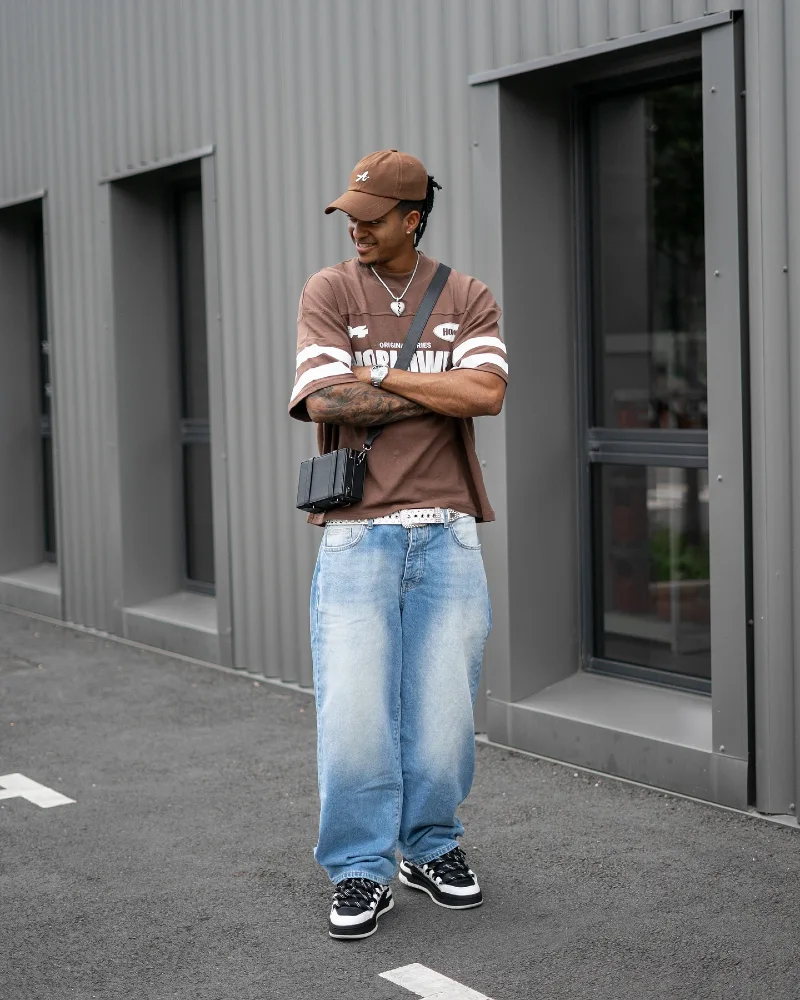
[184, 867]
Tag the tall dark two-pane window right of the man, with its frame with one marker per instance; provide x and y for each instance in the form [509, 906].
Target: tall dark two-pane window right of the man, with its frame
[647, 388]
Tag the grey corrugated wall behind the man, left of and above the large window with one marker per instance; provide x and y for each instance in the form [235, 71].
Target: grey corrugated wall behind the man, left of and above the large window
[291, 93]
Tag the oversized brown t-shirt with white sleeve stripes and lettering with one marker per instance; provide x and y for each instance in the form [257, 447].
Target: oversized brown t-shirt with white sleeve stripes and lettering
[345, 321]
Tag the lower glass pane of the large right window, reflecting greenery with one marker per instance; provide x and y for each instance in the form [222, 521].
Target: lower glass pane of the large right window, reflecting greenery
[654, 566]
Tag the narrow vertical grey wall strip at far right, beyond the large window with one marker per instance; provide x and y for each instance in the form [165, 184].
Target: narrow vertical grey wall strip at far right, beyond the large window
[771, 404]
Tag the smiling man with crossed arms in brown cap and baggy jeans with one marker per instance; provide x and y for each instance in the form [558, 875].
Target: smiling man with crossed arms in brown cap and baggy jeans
[399, 604]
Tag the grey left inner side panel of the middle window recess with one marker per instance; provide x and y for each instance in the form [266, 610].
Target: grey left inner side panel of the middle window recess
[144, 320]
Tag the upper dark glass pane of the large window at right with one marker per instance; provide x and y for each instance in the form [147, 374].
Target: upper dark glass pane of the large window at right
[649, 259]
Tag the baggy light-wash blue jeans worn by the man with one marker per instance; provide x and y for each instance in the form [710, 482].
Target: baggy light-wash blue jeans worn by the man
[399, 619]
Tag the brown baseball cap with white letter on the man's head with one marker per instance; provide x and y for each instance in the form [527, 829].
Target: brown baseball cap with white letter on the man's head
[379, 182]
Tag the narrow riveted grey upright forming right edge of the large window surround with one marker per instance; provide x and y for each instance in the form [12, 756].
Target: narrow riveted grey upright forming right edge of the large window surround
[723, 163]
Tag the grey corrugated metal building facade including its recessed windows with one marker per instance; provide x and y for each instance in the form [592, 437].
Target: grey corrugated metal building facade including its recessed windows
[624, 174]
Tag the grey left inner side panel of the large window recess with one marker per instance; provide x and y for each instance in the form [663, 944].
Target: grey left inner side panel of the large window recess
[538, 304]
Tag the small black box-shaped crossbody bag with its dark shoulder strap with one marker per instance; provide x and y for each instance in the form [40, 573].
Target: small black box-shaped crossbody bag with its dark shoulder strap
[337, 479]
